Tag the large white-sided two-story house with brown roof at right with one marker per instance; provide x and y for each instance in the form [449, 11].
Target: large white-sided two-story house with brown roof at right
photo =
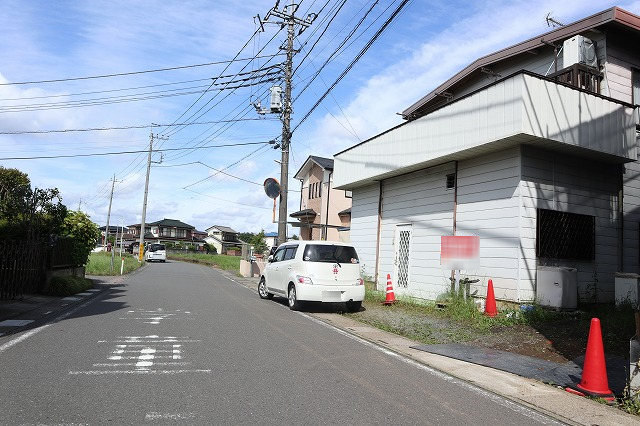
[532, 148]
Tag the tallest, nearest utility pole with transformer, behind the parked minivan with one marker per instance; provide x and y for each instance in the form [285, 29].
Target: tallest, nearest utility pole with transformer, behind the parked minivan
[286, 17]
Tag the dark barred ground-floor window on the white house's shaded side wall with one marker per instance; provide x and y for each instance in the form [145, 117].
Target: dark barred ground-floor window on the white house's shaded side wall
[565, 235]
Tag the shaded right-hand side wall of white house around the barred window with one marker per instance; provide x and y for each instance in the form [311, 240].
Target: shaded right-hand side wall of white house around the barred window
[575, 185]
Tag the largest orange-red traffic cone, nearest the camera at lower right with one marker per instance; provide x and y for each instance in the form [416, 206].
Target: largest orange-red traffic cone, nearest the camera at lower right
[594, 372]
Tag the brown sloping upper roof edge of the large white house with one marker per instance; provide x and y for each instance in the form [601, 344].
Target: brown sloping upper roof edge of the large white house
[613, 16]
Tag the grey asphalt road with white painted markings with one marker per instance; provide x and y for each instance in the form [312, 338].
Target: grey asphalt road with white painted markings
[183, 343]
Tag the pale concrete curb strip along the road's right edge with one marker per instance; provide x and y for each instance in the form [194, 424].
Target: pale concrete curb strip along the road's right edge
[539, 396]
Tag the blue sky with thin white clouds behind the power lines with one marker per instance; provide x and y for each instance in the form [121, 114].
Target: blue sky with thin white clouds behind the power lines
[45, 40]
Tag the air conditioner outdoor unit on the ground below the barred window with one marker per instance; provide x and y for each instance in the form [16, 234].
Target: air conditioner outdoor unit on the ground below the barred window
[557, 287]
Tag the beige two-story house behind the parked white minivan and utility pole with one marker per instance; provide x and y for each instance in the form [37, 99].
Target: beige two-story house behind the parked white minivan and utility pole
[324, 210]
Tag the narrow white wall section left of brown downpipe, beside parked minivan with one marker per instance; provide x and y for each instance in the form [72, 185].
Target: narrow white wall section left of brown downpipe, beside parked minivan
[364, 226]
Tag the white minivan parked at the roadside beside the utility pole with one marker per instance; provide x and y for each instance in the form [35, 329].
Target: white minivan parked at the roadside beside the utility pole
[319, 271]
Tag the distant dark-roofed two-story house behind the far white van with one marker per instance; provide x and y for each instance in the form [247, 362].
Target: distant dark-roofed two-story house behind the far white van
[170, 231]
